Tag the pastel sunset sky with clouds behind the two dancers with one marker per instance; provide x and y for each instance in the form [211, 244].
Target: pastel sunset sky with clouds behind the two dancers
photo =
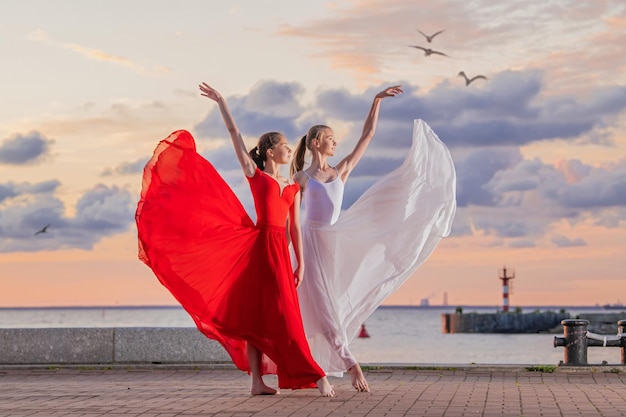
[89, 88]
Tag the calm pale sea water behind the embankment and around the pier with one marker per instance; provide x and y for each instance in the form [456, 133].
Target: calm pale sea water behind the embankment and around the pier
[407, 335]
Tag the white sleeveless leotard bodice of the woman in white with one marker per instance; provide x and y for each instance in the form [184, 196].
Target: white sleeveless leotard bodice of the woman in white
[322, 201]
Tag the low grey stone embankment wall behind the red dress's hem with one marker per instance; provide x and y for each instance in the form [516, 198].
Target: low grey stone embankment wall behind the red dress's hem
[119, 345]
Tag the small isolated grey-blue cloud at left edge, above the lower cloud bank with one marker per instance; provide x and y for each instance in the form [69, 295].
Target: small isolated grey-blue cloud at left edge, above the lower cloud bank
[22, 149]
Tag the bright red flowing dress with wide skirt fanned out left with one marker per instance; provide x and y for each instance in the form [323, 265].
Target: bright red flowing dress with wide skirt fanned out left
[233, 277]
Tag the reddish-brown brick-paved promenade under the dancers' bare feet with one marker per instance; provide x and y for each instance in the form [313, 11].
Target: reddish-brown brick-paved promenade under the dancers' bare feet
[207, 390]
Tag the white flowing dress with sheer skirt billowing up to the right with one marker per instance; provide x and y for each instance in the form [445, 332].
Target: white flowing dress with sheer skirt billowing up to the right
[356, 258]
